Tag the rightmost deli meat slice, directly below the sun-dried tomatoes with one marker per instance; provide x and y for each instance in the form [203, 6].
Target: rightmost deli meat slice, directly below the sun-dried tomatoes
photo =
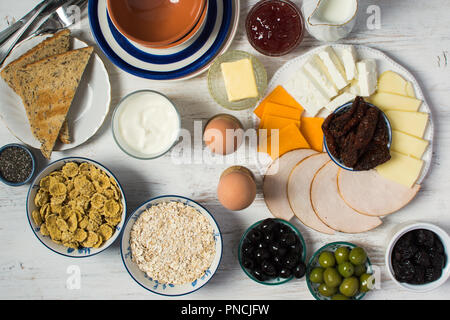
[369, 193]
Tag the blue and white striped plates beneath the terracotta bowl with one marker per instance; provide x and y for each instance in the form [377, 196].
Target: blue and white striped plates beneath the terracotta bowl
[180, 62]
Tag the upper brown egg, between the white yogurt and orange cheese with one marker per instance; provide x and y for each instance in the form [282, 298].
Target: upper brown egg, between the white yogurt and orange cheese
[223, 134]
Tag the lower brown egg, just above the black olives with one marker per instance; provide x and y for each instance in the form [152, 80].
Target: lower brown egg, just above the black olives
[237, 188]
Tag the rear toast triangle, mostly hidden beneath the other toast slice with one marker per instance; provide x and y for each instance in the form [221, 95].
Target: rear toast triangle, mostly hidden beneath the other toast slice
[59, 43]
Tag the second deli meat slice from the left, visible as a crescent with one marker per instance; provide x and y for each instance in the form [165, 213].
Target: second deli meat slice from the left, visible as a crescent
[299, 187]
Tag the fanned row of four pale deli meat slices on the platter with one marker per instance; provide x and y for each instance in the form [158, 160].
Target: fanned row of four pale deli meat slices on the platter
[307, 185]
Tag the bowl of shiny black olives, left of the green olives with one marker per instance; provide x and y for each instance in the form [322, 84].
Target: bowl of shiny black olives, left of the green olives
[272, 252]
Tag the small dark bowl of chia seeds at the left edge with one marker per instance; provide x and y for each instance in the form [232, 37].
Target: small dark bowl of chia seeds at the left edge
[17, 165]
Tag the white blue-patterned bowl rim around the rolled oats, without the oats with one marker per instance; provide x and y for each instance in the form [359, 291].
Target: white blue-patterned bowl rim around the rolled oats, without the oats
[152, 284]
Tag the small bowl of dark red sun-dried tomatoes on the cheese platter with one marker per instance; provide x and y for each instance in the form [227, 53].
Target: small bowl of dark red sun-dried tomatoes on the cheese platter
[358, 136]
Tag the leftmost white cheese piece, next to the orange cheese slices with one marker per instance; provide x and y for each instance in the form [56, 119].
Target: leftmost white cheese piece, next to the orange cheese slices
[307, 93]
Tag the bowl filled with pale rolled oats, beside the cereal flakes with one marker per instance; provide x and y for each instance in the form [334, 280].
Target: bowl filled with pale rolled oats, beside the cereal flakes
[171, 245]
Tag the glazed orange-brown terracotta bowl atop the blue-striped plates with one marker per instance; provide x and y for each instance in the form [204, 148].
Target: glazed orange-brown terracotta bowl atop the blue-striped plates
[155, 22]
